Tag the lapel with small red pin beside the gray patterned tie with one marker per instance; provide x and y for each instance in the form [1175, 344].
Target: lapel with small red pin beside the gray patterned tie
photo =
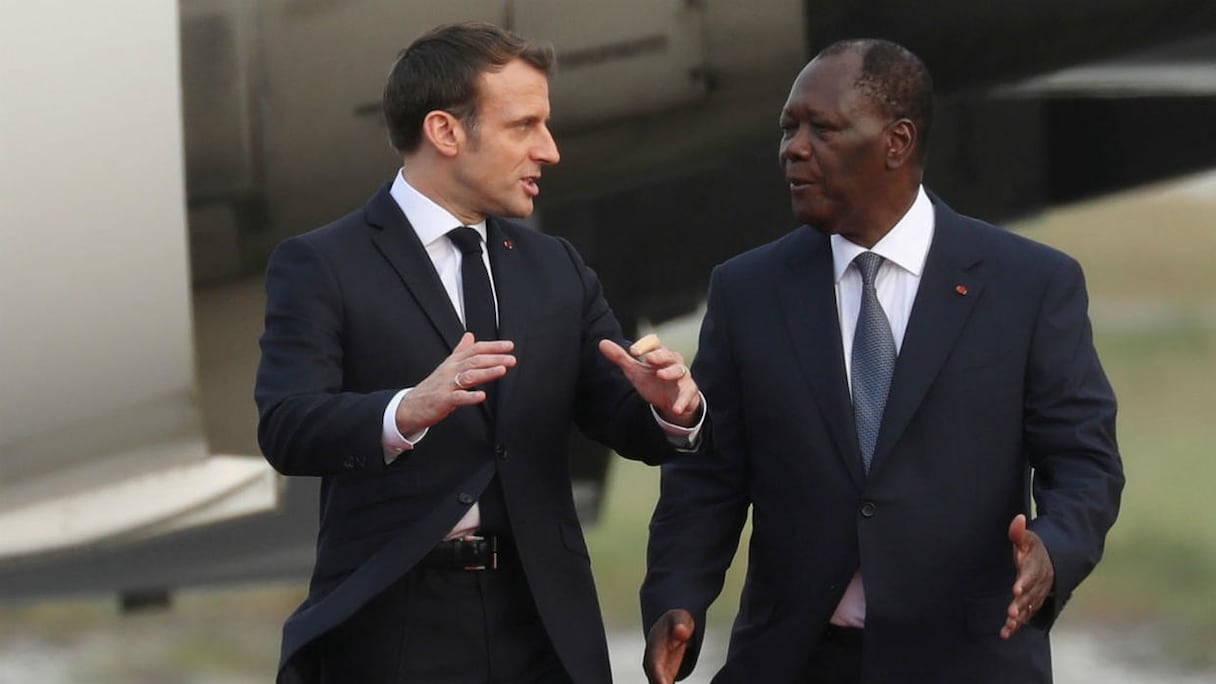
[950, 289]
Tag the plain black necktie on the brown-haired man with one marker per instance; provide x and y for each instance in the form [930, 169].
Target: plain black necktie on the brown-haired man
[482, 322]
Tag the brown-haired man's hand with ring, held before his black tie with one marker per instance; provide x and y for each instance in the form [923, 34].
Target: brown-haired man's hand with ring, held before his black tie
[455, 383]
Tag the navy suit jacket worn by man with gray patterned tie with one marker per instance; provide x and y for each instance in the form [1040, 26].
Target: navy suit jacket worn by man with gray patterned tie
[998, 394]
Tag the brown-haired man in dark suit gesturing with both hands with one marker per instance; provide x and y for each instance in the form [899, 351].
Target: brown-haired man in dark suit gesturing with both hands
[449, 551]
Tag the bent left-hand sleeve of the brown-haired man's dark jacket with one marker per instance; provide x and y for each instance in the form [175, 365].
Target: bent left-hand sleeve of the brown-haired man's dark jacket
[307, 424]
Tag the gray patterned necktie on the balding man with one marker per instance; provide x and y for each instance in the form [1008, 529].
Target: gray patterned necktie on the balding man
[874, 358]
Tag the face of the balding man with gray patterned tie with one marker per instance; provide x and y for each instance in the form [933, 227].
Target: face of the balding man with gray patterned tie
[837, 153]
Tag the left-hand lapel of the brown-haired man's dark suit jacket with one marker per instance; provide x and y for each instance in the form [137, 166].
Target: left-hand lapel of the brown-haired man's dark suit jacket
[399, 244]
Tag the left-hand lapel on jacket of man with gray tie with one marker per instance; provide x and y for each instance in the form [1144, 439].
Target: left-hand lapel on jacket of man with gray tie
[808, 300]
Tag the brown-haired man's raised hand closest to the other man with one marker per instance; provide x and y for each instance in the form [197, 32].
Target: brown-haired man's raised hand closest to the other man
[661, 377]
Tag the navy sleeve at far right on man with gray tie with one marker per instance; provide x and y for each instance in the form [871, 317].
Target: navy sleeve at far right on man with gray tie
[1071, 435]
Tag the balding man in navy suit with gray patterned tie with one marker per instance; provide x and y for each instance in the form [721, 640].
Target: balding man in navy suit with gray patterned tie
[890, 481]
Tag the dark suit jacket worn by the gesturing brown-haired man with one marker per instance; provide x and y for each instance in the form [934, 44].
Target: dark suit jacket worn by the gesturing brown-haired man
[356, 312]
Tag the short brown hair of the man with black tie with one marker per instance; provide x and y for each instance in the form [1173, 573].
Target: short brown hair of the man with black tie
[440, 71]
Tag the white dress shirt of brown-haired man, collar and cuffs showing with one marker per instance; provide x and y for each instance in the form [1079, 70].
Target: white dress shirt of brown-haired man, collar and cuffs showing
[432, 225]
